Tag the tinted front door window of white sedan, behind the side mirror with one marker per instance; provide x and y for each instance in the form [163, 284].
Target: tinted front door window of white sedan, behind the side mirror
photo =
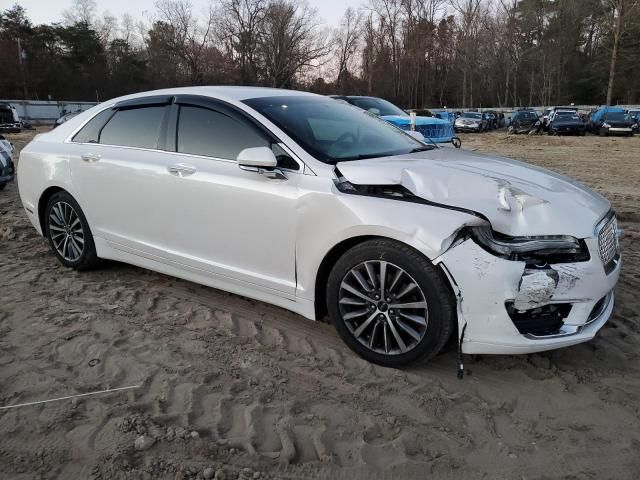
[210, 133]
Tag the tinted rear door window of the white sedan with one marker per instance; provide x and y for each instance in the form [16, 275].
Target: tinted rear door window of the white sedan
[136, 127]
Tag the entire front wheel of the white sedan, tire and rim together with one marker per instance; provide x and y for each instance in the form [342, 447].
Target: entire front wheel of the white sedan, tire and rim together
[377, 341]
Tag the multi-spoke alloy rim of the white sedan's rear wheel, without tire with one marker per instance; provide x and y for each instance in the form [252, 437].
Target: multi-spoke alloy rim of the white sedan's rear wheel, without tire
[65, 229]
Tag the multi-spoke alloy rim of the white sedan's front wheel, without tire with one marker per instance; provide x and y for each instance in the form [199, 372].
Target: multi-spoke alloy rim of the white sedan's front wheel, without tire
[383, 307]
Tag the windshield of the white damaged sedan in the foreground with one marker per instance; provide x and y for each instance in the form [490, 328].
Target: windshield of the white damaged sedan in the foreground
[333, 131]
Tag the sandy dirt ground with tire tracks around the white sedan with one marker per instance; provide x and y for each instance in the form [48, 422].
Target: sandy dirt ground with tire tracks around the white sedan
[233, 388]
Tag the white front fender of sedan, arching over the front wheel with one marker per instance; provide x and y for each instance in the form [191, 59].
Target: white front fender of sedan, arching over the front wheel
[327, 217]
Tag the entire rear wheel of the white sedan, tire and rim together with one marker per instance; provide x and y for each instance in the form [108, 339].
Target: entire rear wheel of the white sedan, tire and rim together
[68, 233]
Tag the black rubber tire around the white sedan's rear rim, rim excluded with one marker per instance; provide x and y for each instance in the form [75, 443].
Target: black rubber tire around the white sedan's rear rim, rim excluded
[88, 257]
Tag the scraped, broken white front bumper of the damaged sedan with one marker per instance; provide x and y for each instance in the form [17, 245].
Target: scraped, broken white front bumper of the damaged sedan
[510, 307]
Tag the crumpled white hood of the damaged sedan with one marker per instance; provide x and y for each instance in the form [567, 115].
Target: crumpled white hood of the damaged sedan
[518, 199]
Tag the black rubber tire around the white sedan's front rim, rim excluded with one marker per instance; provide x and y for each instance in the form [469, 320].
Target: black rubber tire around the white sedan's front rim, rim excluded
[441, 308]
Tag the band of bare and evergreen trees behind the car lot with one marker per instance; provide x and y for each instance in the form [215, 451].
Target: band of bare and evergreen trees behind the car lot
[416, 53]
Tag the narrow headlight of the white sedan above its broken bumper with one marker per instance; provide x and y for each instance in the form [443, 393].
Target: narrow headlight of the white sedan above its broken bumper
[548, 248]
